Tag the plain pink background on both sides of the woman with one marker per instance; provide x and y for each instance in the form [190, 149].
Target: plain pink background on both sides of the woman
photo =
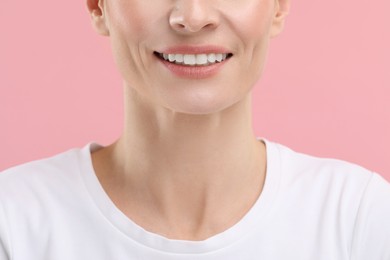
[325, 90]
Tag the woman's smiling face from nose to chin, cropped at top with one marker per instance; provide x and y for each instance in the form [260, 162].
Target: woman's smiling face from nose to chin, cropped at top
[142, 32]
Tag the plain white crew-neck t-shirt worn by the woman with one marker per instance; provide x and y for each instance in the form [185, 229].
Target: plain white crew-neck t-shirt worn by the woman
[310, 208]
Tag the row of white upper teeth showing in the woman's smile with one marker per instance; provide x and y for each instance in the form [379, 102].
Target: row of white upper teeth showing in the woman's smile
[195, 59]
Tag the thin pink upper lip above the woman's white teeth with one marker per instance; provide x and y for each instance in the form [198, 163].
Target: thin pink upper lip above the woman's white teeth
[195, 49]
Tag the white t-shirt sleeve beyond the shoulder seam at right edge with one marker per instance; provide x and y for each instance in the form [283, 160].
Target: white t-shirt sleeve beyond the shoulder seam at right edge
[371, 238]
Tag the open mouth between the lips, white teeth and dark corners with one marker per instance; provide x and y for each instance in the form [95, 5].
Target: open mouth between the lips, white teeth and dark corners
[193, 60]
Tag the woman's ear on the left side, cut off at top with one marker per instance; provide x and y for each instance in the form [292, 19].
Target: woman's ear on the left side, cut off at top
[98, 17]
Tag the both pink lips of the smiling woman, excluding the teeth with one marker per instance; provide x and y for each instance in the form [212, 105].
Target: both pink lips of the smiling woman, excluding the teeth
[194, 72]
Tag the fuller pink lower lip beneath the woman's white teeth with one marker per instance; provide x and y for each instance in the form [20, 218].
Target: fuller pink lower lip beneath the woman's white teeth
[194, 72]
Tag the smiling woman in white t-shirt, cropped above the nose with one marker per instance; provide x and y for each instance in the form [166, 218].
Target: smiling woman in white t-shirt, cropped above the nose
[188, 179]
